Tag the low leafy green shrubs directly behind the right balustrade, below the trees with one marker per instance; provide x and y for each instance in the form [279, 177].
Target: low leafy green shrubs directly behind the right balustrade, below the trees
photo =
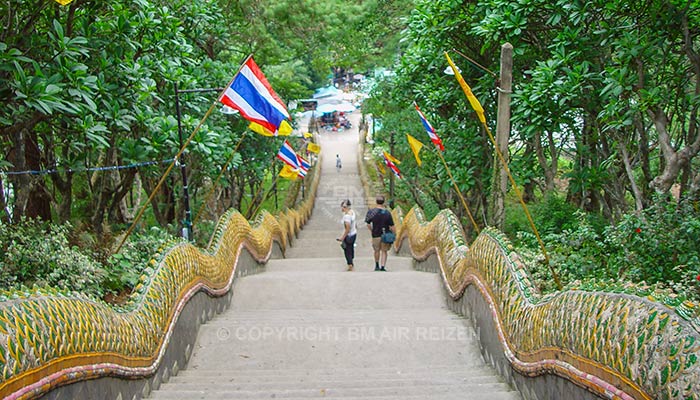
[660, 247]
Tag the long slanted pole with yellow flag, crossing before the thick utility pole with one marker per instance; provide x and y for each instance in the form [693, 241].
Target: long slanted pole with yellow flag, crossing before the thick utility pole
[480, 112]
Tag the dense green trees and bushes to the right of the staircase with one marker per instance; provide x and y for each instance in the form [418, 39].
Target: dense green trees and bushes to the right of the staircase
[604, 138]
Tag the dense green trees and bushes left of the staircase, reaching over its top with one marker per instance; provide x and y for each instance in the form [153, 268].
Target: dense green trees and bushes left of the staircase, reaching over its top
[90, 86]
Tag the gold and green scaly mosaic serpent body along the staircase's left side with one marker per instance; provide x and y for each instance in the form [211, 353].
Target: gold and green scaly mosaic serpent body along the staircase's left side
[50, 338]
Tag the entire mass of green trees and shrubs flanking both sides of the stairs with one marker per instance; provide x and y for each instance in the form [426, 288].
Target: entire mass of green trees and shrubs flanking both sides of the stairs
[603, 145]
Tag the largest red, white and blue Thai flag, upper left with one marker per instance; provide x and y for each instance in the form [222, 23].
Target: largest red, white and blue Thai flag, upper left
[251, 94]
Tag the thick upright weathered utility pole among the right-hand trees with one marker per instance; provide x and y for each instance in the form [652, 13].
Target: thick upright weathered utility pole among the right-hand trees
[500, 176]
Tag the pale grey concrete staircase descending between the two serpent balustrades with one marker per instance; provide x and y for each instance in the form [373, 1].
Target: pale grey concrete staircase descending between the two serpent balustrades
[306, 328]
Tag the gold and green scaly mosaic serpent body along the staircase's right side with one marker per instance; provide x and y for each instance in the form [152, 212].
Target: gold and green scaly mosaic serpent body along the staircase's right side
[617, 345]
